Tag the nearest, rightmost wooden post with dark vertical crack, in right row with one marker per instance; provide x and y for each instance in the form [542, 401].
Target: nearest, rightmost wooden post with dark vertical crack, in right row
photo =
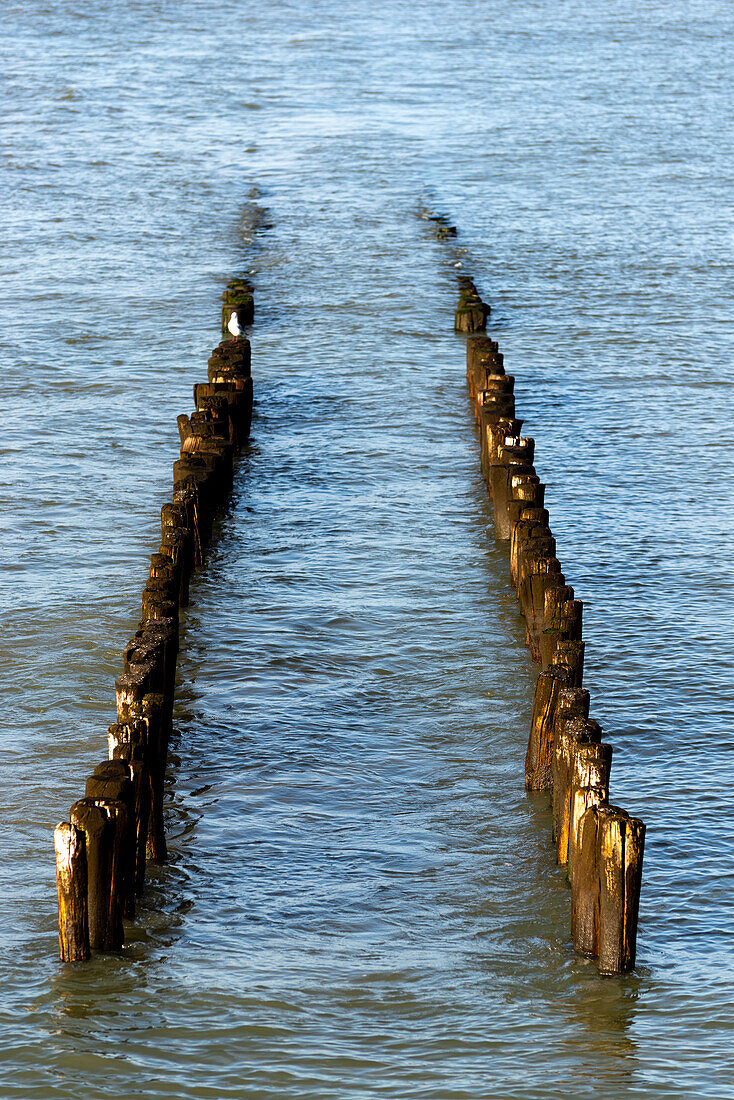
[621, 845]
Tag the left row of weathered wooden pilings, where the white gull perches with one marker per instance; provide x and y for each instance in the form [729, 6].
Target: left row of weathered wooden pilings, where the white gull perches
[103, 850]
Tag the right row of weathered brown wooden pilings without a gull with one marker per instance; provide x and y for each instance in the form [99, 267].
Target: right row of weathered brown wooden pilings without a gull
[600, 845]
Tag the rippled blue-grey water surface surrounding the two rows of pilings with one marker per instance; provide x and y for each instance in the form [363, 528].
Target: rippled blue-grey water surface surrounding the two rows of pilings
[361, 900]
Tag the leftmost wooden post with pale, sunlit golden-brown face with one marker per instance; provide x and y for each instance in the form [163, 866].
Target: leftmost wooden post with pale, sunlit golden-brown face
[71, 848]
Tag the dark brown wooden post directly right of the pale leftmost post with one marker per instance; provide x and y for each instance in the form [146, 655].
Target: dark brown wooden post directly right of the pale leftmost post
[100, 837]
